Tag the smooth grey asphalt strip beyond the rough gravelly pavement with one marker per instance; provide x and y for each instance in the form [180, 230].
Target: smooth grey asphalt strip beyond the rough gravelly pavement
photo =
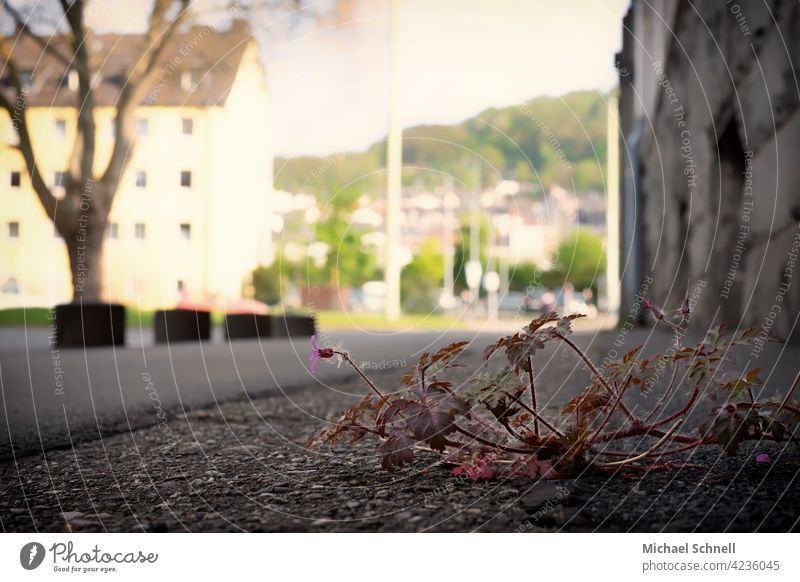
[53, 398]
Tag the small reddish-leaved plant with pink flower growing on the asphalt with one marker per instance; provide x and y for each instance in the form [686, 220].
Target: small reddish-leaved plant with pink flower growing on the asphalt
[493, 425]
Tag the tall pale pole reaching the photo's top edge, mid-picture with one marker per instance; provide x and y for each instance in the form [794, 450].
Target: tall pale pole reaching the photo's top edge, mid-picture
[394, 163]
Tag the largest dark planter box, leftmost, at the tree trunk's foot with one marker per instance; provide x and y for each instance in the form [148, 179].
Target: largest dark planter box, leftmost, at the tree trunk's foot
[90, 325]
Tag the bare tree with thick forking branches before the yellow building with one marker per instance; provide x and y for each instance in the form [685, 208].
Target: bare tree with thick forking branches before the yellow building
[81, 216]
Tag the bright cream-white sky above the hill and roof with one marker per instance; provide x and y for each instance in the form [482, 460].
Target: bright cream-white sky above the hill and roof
[329, 82]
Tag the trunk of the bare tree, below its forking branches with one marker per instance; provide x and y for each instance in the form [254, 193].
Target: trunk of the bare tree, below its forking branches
[83, 226]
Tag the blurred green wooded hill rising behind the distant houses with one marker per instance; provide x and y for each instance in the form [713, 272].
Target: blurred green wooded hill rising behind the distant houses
[545, 141]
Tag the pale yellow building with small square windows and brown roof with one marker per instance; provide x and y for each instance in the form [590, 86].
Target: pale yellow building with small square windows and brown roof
[189, 218]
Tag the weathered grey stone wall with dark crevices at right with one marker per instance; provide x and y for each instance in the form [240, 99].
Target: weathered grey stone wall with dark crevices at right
[714, 188]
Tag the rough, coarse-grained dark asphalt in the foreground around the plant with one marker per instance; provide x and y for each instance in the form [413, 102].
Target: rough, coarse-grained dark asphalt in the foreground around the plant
[243, 466]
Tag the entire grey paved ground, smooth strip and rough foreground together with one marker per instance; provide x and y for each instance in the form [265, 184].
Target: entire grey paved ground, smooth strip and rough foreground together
[224, 449]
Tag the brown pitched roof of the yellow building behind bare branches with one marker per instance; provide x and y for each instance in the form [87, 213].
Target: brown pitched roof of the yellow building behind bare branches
[198, 67]
